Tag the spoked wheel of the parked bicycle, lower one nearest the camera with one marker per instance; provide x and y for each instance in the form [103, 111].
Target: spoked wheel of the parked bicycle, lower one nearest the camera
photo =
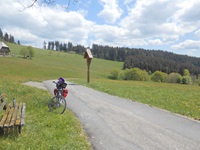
[57, 105]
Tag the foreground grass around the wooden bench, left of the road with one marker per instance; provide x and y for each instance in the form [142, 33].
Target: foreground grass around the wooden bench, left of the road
[42, 130]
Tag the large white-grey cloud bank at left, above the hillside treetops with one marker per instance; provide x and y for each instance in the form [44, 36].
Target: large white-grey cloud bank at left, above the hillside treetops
[44, 23]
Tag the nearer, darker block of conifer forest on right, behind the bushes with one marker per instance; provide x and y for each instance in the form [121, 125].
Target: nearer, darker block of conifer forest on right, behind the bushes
[162, 61]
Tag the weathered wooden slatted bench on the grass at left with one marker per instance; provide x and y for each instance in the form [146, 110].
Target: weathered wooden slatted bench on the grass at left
[13, 118]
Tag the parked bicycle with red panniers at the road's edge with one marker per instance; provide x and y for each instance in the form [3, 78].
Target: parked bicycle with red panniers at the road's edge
[58, 103]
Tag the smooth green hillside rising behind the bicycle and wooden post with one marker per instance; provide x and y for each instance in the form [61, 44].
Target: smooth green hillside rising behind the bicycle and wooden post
[49, 64]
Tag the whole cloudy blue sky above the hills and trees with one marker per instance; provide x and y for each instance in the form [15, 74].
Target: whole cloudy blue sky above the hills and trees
[169, 25]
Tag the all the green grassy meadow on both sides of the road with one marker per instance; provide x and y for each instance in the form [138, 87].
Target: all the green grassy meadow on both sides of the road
[44, 130]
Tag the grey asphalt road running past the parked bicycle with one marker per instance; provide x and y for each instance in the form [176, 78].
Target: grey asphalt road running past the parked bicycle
[113, 123]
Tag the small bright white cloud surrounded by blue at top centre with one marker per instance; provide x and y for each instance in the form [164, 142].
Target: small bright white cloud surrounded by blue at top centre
[111, 11]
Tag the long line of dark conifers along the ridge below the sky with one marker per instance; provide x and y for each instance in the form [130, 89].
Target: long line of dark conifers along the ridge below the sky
[149, 60]
